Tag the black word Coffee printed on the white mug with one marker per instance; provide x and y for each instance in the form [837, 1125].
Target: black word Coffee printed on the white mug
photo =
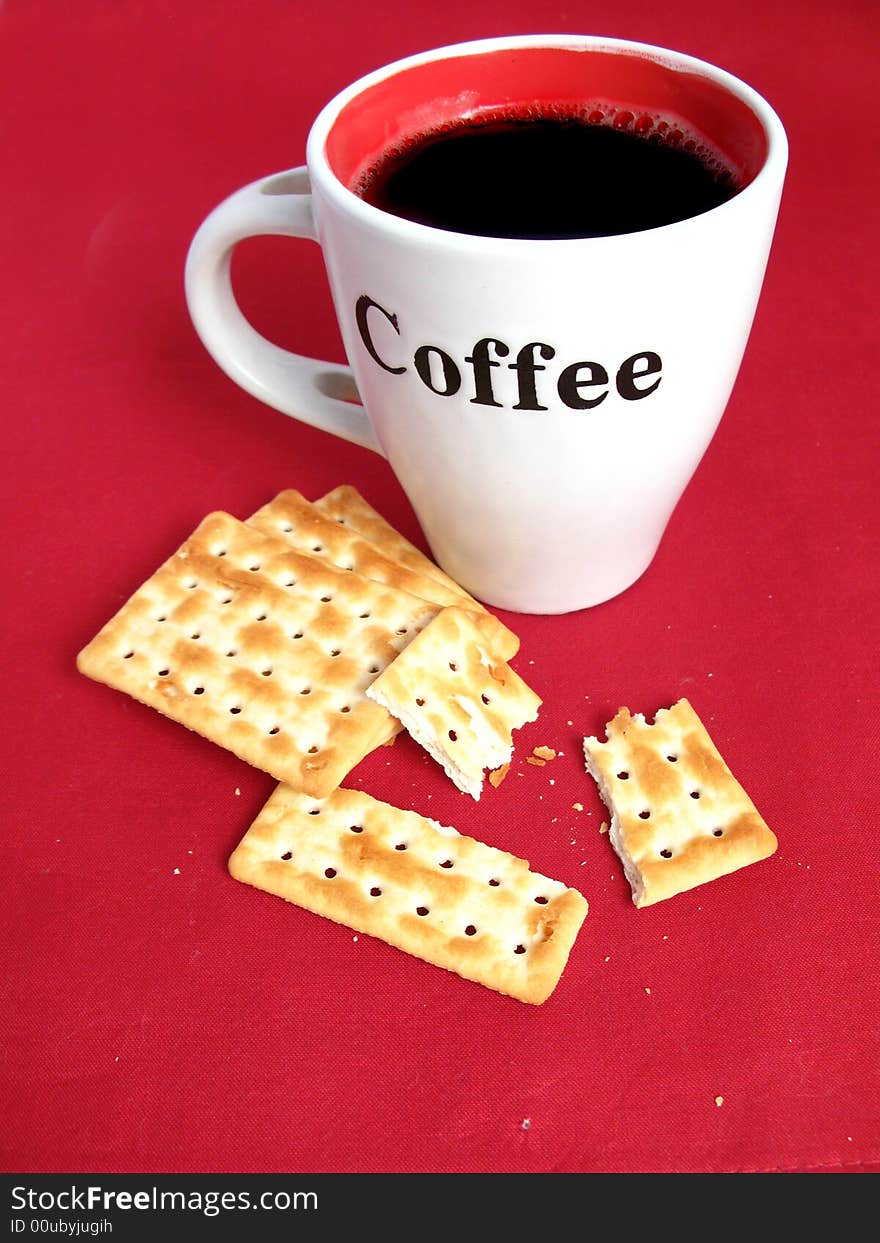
[581, 386]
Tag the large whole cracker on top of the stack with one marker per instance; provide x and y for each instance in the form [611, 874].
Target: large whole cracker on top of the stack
[263, 651]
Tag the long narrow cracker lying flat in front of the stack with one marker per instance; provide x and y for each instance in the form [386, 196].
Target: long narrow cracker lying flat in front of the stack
[417, 886]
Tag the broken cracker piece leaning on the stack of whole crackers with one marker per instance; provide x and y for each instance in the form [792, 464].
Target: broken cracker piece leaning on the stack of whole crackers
[457, 699]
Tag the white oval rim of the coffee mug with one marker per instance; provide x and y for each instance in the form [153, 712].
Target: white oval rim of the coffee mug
[332, 187]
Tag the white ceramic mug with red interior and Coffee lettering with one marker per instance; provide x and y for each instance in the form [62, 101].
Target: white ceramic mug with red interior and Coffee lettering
[544, 403]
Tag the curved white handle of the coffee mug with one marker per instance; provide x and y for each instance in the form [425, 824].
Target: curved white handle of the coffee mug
[323, 395]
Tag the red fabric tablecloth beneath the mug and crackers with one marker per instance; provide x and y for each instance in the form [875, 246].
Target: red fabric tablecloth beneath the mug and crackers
[156, 1021]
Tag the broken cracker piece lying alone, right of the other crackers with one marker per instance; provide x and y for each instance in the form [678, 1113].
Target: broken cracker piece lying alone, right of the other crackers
[679, 817]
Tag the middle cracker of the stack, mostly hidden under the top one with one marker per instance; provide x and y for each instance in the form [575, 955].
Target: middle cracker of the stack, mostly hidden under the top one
[304, 526]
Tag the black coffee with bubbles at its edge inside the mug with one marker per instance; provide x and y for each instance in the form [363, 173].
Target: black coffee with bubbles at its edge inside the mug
[525, 176]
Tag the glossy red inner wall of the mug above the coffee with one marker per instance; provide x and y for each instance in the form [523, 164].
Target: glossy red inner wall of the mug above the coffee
[625, 89]
